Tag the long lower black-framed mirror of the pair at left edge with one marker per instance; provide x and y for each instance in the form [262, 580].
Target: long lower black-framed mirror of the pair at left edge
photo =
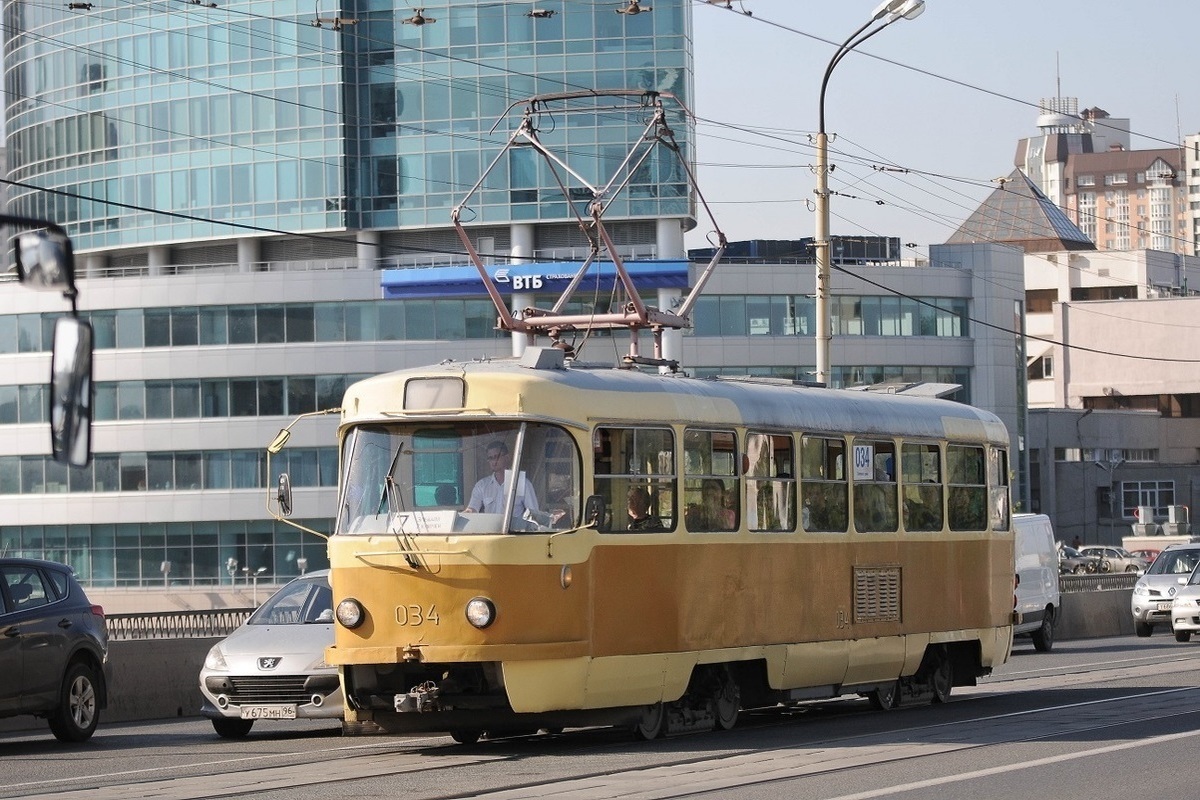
[71, 392]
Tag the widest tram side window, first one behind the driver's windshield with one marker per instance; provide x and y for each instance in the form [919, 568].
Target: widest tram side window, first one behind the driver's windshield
[635, 474]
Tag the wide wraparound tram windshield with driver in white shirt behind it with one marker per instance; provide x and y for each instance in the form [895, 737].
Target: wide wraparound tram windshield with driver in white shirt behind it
[478, 478]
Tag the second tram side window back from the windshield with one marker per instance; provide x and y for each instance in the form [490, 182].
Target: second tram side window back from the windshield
[711, 480]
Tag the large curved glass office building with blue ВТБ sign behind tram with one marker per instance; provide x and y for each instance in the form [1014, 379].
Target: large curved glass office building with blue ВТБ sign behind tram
[238, 182]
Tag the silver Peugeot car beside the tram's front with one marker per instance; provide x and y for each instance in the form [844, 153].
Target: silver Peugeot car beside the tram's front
[274, 666]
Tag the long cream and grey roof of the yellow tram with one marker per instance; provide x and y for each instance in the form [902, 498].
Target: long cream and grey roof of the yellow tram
[701, 401]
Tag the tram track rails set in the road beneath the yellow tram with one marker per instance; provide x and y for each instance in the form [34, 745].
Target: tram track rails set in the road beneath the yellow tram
[592, 765]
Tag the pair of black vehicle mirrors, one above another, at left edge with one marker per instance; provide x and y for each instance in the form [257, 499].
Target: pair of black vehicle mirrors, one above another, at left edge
[45, 262]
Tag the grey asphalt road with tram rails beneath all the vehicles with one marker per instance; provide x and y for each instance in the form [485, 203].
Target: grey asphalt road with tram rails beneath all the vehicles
[1096, 719]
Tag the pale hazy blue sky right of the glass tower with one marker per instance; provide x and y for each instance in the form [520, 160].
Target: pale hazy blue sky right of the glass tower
[947, 99]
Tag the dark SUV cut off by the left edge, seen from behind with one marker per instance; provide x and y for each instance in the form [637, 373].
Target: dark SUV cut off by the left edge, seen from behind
[53, 648]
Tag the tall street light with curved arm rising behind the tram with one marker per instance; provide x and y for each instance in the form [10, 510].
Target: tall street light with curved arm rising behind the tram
[886, 14]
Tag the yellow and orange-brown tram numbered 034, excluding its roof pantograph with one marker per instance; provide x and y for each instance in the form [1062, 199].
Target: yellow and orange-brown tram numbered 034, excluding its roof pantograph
[529, 544]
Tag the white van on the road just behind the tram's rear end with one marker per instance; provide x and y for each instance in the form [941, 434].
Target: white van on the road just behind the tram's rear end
[1037, 601]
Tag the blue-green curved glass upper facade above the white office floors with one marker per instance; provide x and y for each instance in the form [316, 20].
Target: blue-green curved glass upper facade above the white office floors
[155, 124]
